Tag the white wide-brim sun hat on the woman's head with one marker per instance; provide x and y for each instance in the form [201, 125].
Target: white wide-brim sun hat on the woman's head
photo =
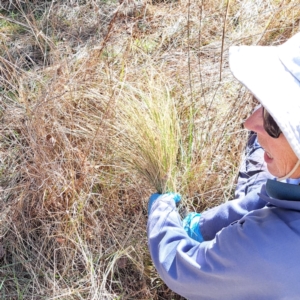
[272, 74]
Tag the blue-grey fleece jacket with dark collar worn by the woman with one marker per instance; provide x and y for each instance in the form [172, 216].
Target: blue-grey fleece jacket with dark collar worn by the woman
[251, 248]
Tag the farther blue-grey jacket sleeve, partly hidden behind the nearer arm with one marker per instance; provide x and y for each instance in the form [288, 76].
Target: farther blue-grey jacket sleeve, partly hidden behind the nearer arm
[214, 219]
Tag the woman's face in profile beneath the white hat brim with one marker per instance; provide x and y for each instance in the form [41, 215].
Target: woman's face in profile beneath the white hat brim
[279, 156]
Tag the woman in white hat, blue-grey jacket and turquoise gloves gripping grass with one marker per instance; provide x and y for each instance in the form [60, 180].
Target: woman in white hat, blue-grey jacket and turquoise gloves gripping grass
[247, 248]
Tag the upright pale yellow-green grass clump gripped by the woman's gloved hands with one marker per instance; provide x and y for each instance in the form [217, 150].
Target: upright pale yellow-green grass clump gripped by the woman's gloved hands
[150, 133]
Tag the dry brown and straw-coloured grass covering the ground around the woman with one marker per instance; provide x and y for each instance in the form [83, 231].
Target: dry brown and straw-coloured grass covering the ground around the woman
[101, 104]
